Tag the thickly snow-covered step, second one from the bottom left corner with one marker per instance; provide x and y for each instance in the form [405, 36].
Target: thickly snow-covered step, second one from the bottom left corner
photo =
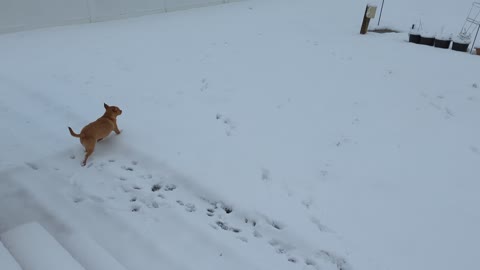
[35, 249]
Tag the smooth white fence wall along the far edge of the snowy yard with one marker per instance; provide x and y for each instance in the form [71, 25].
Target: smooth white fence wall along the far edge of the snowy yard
[18, 15]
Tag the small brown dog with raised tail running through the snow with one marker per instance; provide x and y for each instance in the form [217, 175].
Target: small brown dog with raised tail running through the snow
[96, 131]
